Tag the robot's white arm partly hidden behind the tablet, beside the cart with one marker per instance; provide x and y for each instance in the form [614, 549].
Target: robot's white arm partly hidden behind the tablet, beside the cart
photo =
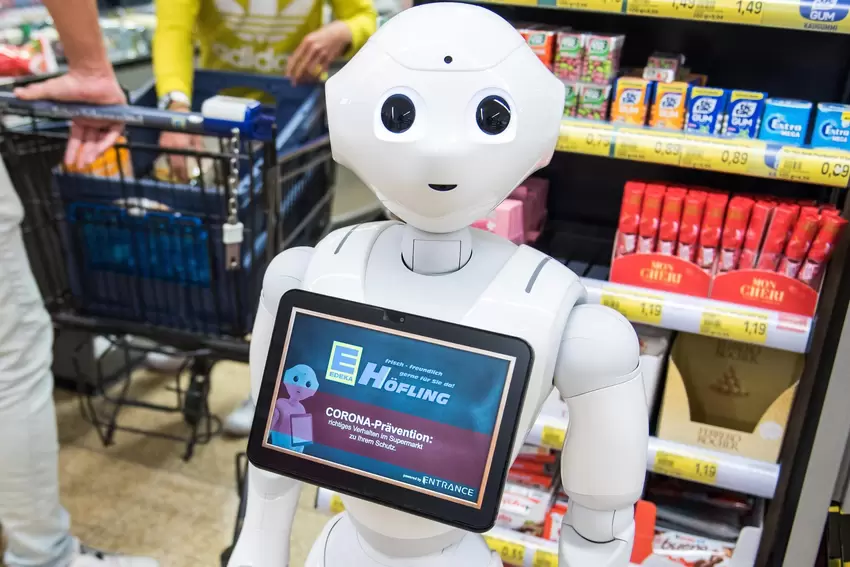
[272, 499]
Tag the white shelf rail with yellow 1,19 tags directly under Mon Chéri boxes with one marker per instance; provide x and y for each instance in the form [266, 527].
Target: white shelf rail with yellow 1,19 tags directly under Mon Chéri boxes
[704, 316]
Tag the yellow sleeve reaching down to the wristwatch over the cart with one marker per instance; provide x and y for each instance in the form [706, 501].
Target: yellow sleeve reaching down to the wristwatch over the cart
[173, 46]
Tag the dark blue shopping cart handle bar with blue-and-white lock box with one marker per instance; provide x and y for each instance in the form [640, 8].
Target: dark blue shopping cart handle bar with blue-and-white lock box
[220, 115]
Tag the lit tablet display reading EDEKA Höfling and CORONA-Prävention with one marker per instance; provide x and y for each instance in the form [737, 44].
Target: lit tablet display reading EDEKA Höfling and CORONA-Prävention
[401, 408]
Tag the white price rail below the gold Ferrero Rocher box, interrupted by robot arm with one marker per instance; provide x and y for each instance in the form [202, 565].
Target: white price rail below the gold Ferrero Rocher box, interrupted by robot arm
[680, 461]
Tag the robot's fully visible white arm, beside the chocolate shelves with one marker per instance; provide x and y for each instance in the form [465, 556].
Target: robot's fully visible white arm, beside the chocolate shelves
[603, 464]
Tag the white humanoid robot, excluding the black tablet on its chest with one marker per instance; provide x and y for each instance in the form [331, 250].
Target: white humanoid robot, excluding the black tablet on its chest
[442, 114]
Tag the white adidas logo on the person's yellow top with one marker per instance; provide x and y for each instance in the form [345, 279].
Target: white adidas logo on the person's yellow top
[263, 21]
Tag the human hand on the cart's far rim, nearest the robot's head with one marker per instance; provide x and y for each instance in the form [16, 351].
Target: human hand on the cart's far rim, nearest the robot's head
[317, 50]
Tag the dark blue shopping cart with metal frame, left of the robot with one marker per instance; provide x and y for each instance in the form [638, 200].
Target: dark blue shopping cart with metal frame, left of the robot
[163, 266]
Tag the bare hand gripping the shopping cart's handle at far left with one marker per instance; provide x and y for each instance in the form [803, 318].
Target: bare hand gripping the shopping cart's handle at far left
[89, 138]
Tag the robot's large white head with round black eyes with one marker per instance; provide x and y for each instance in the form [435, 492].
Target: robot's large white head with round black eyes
[443, 113]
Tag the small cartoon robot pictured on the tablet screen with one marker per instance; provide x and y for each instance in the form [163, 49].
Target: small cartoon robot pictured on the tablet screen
[292, 425]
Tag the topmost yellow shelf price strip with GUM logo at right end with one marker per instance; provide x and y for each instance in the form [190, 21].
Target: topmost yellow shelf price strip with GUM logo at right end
[793, 14]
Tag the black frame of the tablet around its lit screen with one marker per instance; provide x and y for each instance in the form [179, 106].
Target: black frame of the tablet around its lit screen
[379, 491]
